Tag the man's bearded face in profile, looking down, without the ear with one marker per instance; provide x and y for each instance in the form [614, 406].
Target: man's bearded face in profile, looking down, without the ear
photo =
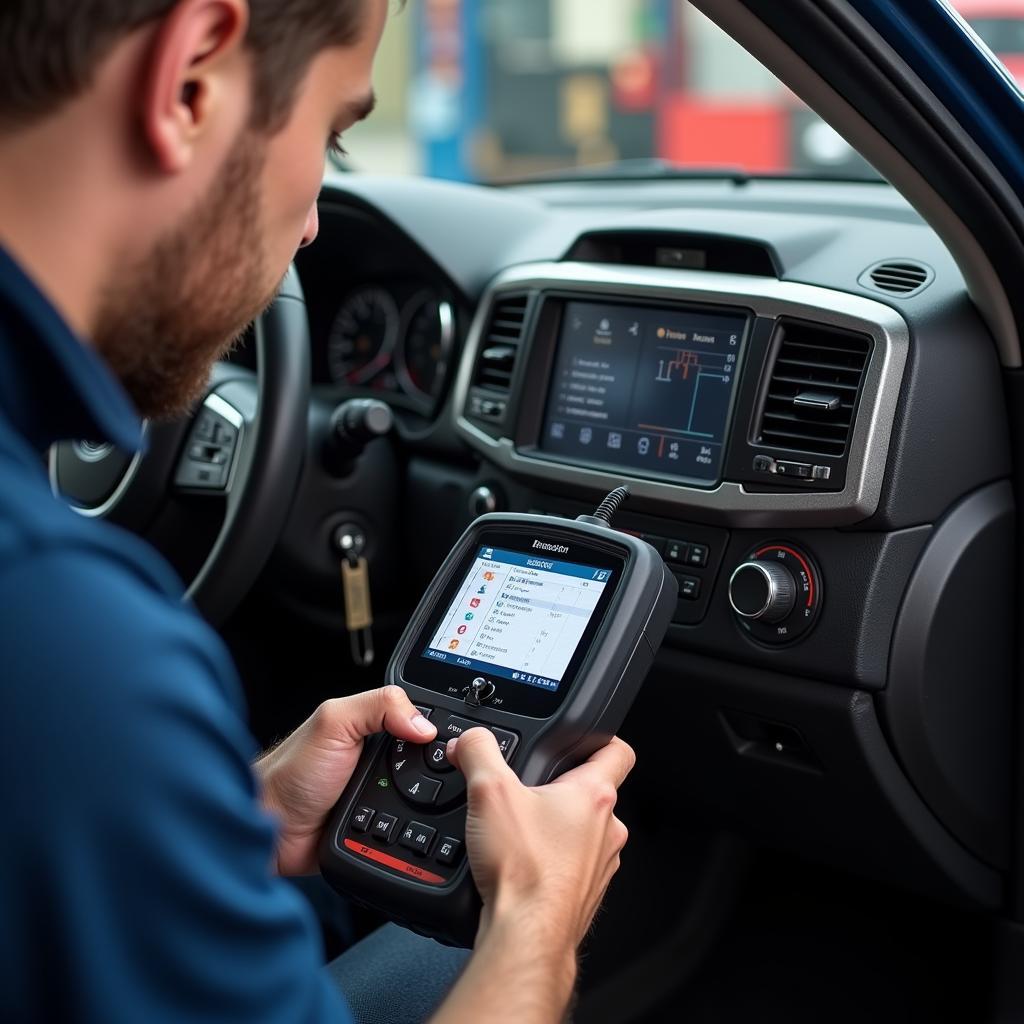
[164, 323]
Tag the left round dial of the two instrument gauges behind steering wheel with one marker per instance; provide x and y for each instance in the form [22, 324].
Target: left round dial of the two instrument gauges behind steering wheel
[363, 337]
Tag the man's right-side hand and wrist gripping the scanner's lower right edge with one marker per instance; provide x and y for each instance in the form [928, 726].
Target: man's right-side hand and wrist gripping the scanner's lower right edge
[542, 860]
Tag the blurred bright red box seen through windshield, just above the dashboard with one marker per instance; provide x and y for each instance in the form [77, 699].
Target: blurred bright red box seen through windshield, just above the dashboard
[748, 137]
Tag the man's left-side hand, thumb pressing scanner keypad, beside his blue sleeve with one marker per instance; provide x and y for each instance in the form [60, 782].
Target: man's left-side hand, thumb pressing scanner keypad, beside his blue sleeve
[304, 777]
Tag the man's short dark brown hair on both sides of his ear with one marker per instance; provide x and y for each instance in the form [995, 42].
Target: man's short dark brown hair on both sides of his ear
[50, 50]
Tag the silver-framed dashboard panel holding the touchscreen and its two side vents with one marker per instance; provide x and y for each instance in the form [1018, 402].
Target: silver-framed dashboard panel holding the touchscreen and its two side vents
[744, 399]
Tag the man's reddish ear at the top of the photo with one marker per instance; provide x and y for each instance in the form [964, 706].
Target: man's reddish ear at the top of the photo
[187, 82]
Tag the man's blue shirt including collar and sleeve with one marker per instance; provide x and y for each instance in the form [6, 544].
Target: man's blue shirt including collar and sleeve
[136, 863]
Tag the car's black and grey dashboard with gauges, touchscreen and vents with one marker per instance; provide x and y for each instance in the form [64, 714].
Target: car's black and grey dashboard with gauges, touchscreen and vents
[808, 413]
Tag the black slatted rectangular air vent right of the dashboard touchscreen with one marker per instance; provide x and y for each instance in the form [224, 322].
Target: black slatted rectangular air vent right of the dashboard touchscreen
[815, 387]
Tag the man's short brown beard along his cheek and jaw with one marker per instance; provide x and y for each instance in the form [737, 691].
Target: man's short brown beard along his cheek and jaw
[166, 322]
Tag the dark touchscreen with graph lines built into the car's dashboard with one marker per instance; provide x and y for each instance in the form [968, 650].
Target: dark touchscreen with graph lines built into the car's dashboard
[647, 389]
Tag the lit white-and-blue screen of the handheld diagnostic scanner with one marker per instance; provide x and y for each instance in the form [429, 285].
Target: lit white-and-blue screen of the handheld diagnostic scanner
[520, 616]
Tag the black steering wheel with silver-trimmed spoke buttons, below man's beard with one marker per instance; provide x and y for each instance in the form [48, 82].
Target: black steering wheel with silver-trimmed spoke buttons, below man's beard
[244, 446]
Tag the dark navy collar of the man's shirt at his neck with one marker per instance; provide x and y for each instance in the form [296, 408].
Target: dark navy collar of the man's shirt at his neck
[53, 386]
